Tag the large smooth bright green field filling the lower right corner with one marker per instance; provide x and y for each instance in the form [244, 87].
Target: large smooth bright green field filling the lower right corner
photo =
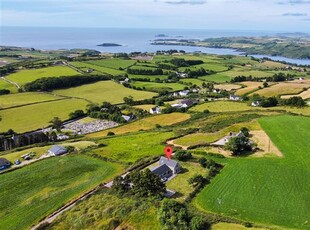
[271, 191]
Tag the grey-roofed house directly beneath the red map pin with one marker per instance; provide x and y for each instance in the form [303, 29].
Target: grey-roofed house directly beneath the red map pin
[166, 168]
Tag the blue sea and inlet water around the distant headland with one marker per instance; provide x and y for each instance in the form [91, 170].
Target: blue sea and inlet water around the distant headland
[48, 38]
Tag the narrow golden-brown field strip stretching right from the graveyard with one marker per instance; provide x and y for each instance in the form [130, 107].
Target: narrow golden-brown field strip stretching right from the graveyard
[145, 124]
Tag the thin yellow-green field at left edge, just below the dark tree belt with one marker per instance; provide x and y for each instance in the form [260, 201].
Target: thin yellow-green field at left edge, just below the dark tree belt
[18, 99]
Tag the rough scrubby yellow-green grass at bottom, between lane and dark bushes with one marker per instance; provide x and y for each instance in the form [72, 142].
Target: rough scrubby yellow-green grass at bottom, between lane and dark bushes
[104, 207]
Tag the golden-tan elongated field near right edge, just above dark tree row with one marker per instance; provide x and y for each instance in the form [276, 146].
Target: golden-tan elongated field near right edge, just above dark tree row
[282, 89]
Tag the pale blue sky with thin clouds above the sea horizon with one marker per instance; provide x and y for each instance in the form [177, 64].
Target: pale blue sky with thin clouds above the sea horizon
[266, 15]
